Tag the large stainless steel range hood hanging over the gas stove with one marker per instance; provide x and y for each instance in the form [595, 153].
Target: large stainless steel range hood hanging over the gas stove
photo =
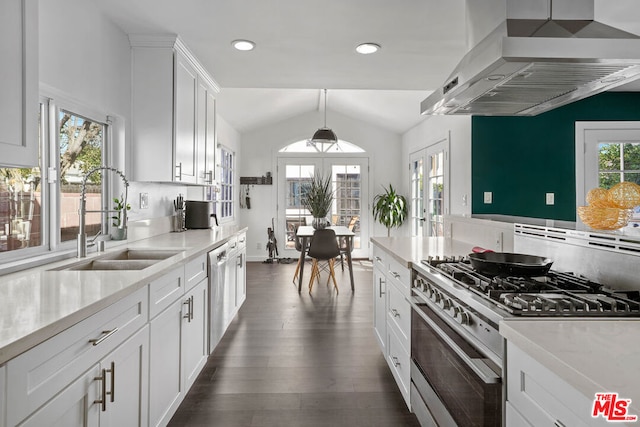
[547, 53]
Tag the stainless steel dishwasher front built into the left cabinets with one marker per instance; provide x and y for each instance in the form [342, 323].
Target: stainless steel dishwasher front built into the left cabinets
[217, 276]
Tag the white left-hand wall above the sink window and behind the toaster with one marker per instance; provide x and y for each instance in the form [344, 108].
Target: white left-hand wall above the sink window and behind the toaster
[86, 58]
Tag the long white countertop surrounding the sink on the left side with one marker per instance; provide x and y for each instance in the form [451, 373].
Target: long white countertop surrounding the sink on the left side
[38, 303]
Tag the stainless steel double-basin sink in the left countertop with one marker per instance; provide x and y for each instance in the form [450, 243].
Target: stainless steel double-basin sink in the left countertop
[127, 259]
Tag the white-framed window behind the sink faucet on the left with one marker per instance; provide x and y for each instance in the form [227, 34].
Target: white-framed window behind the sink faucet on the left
[39, 212]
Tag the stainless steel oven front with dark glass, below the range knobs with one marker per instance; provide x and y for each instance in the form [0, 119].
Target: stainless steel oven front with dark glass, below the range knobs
[458, 385]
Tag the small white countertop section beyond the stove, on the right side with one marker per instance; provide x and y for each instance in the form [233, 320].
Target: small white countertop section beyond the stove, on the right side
[410, 250]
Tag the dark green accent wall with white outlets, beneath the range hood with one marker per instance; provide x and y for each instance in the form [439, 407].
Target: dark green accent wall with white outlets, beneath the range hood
[520, 159]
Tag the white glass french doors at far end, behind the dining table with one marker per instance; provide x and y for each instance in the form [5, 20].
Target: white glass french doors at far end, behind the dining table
[350, 183]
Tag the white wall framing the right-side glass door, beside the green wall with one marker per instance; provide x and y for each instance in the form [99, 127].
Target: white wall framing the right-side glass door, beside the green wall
[430, 131]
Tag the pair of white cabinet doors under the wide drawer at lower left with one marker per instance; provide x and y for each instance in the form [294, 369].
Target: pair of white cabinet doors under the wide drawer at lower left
[111, 393]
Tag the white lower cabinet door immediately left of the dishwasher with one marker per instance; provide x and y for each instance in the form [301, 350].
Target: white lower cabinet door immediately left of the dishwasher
[195, 331]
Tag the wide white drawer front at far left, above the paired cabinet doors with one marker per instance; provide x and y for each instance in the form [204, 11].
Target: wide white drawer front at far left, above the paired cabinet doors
[39, 374]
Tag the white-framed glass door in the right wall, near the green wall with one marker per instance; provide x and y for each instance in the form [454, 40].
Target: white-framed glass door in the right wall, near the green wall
[429, 189]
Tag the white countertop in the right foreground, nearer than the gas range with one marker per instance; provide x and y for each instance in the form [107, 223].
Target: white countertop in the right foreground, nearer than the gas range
[591, 355]
